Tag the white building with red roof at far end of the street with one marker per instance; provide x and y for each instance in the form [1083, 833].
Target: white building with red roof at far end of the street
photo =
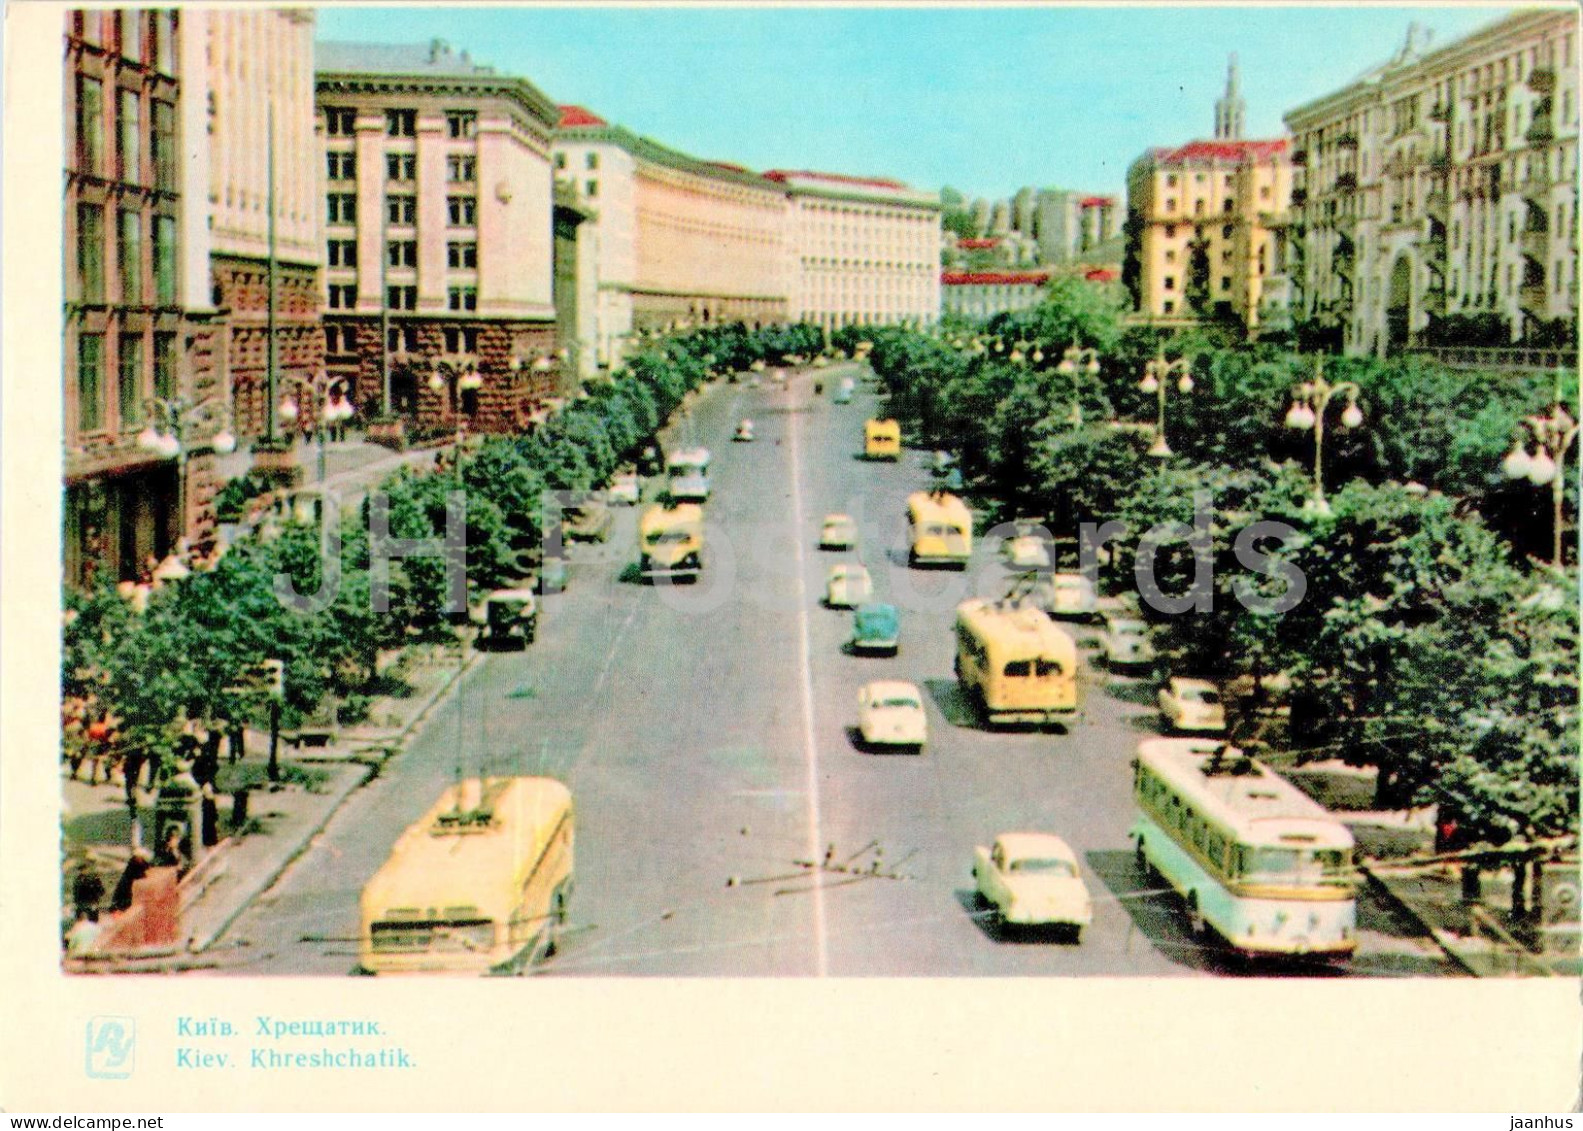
[864, 251]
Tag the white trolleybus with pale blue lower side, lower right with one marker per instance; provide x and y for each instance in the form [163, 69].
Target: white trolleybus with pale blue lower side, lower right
[1256, 861]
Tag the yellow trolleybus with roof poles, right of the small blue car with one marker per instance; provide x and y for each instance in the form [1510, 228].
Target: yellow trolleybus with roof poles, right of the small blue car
[1015, 665]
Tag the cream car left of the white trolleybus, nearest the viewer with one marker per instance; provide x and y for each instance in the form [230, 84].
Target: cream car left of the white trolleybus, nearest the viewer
[1033, 880]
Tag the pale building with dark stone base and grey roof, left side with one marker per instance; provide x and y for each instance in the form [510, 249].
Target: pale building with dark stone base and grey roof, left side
[439, 230]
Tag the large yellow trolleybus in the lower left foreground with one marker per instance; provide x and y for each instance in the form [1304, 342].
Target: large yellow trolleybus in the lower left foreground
[479, 885]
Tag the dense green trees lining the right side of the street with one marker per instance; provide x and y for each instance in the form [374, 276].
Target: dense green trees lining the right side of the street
[1427, 642]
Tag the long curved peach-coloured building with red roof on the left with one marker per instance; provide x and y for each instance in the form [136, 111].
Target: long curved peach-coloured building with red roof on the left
[680, 240]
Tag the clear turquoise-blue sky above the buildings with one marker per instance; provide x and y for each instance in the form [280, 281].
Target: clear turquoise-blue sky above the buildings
[985, 101]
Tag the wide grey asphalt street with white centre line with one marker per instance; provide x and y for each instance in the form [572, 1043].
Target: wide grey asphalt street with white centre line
[707, 737]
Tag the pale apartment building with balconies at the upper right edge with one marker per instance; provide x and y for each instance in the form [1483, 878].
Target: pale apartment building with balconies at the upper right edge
[1443, 186]
